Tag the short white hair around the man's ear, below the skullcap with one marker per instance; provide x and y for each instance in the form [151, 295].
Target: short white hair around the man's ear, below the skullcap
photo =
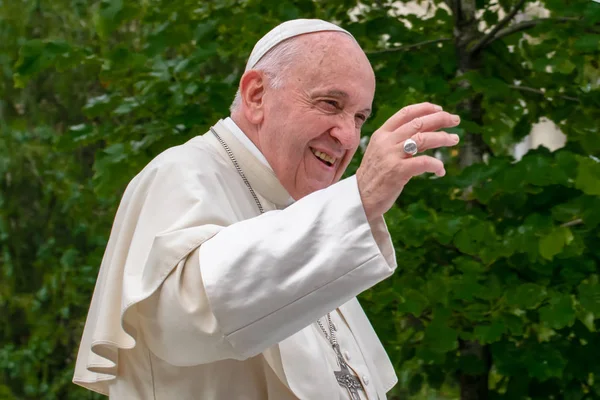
[274, 64]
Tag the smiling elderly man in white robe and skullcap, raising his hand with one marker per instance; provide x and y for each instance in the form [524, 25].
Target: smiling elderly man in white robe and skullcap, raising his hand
[234, 260]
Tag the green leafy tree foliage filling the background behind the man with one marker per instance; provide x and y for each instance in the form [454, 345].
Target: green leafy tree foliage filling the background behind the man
[498, 279]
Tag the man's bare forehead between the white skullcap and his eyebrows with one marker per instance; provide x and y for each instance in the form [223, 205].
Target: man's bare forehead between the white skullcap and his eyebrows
[333, 62]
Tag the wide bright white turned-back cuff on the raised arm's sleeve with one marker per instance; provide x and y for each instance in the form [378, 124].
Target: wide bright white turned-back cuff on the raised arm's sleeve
[270, 276]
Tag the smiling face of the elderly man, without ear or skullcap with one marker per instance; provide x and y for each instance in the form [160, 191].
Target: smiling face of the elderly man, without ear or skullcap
[311, 126]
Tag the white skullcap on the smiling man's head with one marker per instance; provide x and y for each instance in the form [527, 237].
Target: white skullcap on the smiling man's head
[287, 30]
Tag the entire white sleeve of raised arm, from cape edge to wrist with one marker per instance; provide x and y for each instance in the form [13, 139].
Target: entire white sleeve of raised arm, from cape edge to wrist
[259, 281]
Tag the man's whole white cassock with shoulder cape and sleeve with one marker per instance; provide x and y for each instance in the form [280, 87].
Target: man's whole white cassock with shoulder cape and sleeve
[200, 297]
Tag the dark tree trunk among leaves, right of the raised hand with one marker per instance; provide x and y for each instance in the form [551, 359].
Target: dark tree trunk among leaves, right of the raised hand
[472, 387]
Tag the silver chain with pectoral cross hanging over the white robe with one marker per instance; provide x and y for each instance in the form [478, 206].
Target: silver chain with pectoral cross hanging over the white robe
[345, 377]
